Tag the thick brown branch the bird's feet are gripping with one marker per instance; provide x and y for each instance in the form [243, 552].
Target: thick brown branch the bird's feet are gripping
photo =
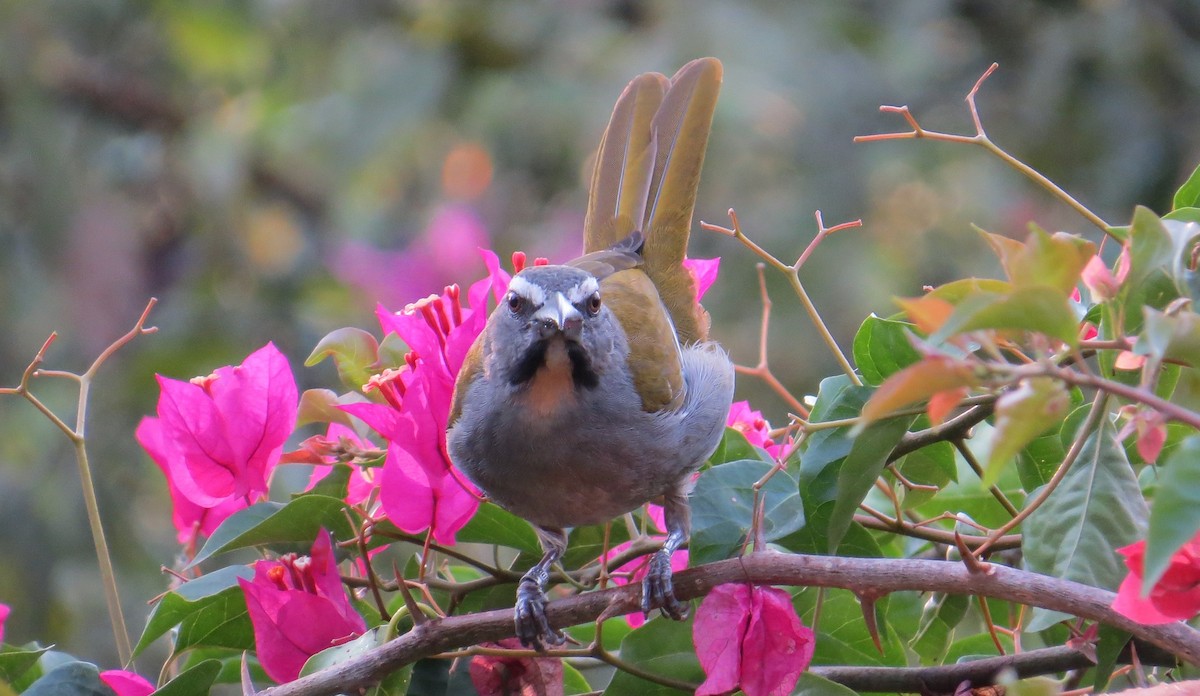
[880, 575]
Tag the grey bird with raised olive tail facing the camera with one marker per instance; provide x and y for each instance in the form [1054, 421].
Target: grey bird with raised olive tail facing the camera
[593, 388]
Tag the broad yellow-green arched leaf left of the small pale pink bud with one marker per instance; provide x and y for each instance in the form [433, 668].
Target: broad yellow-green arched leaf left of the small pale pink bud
[1039, 309]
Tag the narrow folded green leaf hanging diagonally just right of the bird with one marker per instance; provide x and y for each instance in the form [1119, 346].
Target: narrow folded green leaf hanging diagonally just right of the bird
[861, 469]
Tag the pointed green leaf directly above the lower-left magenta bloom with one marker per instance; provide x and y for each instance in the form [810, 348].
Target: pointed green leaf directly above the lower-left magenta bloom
[296, 524]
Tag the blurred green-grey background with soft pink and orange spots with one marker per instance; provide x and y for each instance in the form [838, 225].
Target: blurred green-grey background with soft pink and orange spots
[271, 170]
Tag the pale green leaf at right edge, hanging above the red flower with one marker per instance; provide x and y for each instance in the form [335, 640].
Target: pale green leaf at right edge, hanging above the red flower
[1175, 517]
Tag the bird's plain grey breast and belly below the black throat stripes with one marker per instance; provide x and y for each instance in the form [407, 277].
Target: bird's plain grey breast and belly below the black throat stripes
[593, 457]
